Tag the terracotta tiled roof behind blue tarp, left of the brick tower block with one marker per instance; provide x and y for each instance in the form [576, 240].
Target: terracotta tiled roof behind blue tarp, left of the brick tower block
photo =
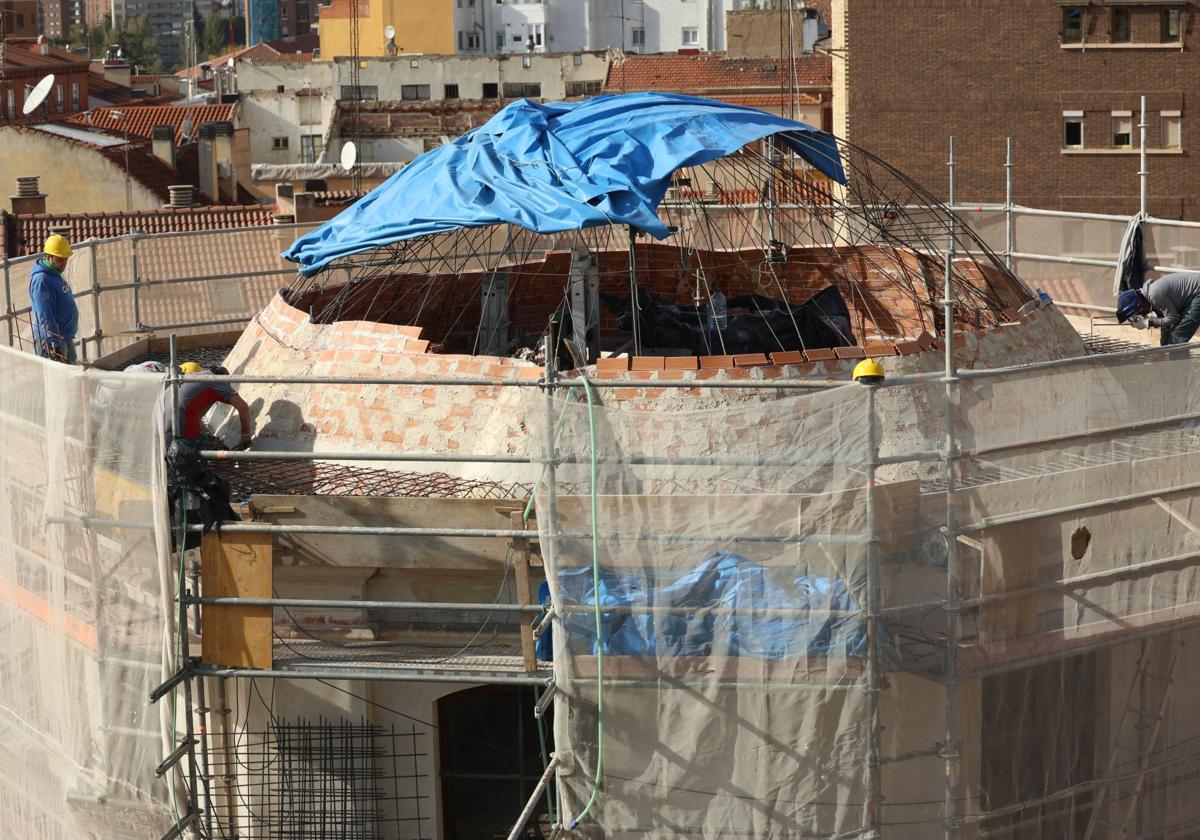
[711, 73]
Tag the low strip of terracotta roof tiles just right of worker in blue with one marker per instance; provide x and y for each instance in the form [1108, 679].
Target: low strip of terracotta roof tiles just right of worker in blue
[32, 231]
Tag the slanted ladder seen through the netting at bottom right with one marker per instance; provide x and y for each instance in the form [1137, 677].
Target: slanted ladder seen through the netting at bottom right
[1144, 725]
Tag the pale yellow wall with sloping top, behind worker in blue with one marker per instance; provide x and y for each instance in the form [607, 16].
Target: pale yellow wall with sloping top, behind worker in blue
[76, 178]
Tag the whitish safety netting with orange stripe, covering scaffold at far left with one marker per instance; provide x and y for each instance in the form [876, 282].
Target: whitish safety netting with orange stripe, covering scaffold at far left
[82, 619]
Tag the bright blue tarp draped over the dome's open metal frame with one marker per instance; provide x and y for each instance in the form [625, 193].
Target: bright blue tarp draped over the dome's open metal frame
[557, 166]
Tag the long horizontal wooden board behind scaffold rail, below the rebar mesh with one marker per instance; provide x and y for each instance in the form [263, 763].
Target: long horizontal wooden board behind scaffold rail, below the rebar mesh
[394, 553]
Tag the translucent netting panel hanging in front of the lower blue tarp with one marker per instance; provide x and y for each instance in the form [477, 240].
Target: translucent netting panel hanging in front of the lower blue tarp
[733, 622]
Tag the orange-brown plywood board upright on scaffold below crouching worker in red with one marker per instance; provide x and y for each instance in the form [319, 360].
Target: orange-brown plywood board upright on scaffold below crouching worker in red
[237, 566]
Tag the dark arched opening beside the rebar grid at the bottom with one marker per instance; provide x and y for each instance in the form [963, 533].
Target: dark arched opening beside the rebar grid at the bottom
[491, 761]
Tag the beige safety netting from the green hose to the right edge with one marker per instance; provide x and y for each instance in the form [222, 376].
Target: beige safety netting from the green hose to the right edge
[737, 551]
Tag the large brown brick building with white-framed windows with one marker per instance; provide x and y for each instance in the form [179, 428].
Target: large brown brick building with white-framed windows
[1063, 80]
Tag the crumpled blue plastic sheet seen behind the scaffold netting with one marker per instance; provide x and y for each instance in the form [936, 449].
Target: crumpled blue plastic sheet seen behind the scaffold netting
[743, 625]
